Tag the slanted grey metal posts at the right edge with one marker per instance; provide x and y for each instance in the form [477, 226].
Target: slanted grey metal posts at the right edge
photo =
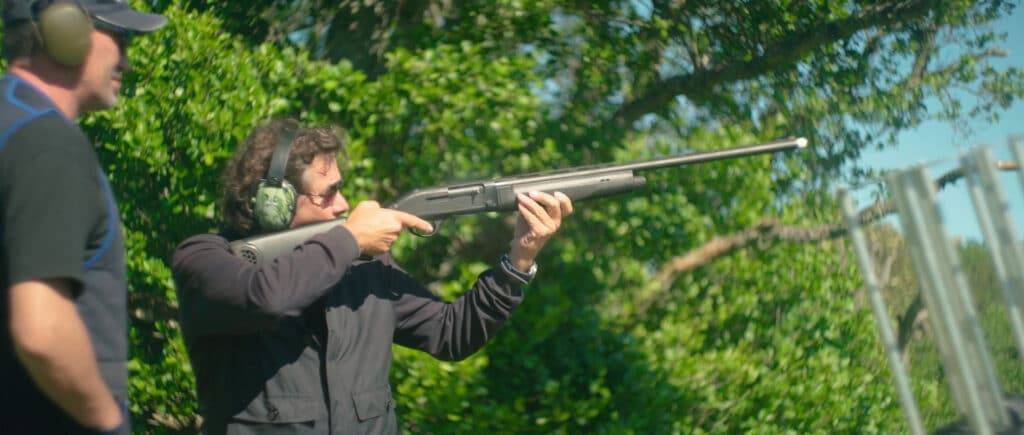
[953, 319]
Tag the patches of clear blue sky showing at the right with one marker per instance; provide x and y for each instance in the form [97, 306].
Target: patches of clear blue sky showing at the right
[940, 142]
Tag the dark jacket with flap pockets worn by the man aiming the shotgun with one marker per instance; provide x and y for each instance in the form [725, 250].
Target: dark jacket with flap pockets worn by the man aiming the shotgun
[303, 345]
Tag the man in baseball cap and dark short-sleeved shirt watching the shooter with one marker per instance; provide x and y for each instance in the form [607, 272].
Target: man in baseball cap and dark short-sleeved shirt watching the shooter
[64, 324]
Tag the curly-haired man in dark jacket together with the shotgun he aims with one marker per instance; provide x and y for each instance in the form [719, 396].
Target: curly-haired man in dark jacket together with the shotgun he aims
[295, 337]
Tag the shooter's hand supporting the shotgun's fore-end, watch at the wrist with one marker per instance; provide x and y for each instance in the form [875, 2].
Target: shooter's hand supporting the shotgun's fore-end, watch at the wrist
[540, 217]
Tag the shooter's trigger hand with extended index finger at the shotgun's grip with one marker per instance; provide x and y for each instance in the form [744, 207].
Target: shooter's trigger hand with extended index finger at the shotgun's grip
[376, 229]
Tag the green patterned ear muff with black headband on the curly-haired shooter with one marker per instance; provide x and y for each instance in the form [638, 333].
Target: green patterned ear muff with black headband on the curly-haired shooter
[274, 204]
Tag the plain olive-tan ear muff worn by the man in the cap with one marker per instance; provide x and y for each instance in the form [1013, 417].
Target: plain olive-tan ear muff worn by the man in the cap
[66, 32]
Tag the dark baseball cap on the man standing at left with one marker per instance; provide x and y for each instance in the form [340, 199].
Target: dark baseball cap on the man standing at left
[115, 14]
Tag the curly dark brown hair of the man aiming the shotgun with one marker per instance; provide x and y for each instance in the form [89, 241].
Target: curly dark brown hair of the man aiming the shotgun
[252, 160]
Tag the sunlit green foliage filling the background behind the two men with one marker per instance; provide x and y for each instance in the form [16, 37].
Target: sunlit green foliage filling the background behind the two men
[766, 340]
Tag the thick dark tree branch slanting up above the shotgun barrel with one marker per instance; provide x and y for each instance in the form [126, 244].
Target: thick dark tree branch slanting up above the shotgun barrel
[787, 52]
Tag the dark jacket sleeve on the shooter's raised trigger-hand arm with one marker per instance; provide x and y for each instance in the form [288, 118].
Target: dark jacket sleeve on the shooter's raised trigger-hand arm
[221, 294]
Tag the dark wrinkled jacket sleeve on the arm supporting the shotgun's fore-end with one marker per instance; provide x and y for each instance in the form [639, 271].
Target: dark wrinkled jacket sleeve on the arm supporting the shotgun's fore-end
[453, 331]
